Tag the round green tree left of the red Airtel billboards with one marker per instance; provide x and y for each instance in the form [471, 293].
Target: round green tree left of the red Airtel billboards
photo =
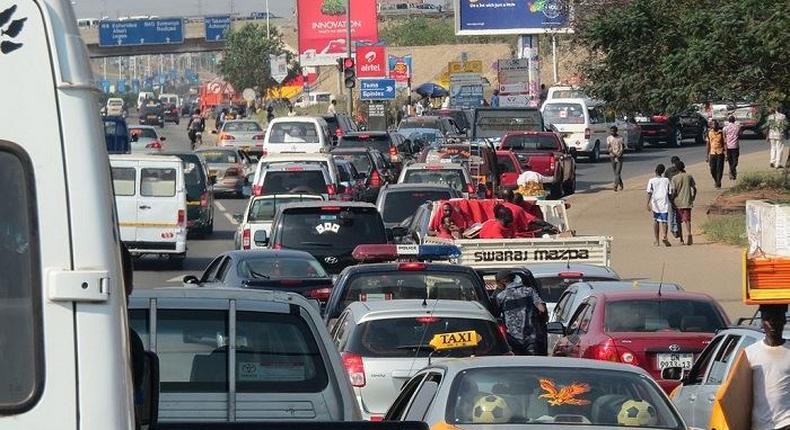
[245, 62]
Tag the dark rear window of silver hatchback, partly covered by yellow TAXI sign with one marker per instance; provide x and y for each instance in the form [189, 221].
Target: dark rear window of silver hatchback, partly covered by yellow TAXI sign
[409, 337]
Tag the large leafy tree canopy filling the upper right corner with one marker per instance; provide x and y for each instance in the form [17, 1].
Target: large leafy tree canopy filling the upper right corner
[664, 56]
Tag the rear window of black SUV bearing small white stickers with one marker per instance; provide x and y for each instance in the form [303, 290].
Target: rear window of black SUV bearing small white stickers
[331, 227]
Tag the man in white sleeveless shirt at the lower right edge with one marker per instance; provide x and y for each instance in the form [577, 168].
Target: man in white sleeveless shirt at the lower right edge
[770, 364]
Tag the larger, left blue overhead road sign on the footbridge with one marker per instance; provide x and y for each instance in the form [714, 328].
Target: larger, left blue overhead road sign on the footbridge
[141, 32]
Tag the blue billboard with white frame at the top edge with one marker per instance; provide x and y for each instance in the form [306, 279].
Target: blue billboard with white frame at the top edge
[481, 17]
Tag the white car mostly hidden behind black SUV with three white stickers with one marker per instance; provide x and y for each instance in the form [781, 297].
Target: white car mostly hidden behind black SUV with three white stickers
[259, 216]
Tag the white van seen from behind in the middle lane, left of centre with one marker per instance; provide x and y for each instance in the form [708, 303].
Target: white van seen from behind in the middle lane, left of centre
[308, 134]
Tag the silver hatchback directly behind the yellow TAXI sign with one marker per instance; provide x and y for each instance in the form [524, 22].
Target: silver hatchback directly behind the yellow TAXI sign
[384, 343]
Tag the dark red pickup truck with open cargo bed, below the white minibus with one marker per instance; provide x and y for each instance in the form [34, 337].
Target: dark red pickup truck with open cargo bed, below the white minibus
[544, 152]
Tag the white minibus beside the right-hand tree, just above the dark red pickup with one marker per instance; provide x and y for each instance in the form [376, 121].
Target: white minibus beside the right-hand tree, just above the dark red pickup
[583, 123]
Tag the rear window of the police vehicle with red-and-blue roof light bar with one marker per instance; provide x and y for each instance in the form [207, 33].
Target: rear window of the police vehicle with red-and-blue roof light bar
[398, 285]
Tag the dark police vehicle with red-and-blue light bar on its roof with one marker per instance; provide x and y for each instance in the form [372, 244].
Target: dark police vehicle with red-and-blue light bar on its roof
[413, 277]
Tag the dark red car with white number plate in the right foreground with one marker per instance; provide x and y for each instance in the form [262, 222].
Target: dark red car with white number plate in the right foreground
[642, 328]
